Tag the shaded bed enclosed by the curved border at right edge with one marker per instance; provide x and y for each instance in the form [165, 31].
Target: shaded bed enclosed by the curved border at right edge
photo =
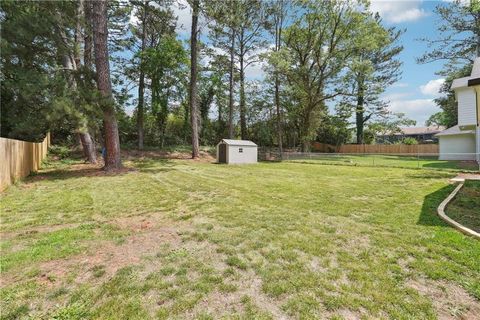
[465, 207]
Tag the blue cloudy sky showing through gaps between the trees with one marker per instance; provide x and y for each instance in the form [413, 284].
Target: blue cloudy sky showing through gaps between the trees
[414, 93]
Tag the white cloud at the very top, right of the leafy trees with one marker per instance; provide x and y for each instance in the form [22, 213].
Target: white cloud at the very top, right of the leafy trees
[397, 11]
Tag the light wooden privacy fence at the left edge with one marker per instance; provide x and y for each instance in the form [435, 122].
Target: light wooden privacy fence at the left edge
[19, 158]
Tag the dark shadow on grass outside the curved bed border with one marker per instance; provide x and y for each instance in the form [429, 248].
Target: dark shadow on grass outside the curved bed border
[428, 215]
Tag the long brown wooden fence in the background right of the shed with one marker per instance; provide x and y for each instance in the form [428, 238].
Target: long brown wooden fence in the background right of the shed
[376, 148]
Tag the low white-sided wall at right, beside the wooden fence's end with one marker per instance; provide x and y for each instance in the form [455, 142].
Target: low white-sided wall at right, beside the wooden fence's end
[457, 147]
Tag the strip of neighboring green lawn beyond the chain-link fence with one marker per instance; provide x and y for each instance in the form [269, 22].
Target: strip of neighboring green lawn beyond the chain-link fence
[381, 160]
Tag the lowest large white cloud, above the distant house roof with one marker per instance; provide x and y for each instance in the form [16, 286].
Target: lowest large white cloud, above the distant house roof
[417, 109]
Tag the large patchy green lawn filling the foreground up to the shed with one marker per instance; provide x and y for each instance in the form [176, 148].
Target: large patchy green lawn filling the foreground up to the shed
[184, 239]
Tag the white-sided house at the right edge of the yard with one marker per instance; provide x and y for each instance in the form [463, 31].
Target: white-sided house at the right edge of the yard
[462, 142]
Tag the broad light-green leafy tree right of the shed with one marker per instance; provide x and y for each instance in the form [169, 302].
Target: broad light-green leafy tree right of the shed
[313, 81]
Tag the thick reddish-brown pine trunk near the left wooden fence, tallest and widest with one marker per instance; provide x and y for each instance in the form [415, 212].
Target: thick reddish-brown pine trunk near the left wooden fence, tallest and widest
[100, 38]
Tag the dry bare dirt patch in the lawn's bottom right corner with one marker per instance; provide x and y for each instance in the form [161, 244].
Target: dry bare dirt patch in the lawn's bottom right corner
[450, 300]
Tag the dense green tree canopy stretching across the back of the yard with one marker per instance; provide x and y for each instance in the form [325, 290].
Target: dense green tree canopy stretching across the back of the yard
[325, 69]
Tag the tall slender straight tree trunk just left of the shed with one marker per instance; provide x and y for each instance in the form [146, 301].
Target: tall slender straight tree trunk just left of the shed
[193, 80]
